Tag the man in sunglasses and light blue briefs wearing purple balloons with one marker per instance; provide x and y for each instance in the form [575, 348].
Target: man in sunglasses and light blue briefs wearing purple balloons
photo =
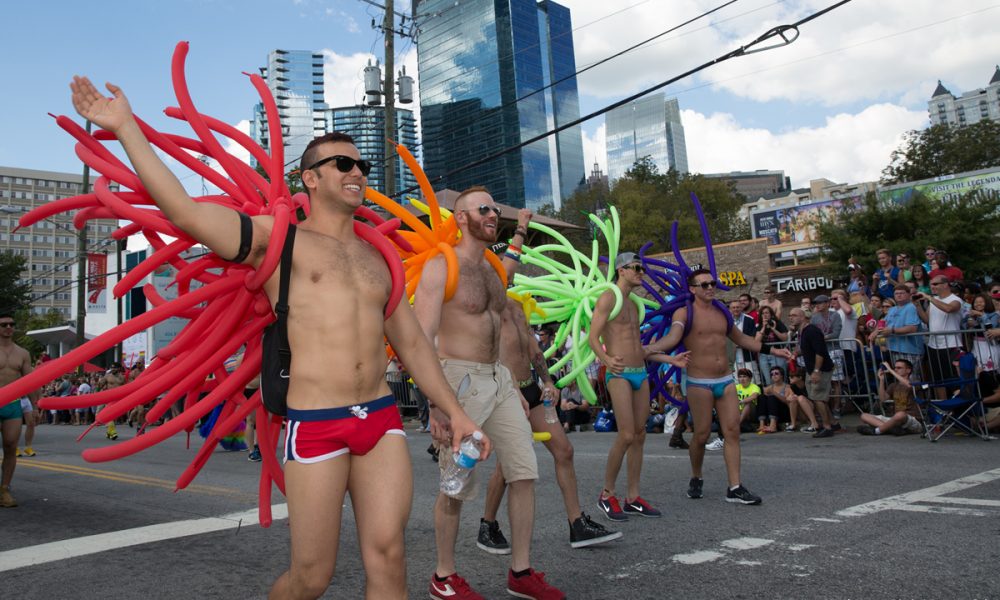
[710, 381]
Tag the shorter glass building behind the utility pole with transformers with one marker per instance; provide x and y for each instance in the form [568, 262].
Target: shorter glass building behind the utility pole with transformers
[366, 124]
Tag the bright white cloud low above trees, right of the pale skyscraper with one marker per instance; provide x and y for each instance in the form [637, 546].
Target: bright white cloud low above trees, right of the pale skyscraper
[848, 148]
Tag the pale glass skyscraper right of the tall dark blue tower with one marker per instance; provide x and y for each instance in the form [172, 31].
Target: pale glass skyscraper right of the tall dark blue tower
[650, 126]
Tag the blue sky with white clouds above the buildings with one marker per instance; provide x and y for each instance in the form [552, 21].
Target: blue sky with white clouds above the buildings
[833, 104]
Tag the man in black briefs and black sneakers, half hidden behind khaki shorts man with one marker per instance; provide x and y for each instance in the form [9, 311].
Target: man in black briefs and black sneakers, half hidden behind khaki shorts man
[519, 352]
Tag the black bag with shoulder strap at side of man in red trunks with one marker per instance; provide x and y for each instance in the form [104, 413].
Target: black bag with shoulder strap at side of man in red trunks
[276, 362]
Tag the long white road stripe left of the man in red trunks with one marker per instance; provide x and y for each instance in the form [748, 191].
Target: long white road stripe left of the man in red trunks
[92, 544]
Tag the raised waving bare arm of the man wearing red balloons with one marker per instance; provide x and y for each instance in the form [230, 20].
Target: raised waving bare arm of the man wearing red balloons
[210, 224]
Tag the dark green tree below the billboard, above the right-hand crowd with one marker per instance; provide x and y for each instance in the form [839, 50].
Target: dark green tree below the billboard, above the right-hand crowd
[966, 228]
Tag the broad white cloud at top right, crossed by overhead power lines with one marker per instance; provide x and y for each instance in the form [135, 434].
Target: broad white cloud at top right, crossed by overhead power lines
[863, 51]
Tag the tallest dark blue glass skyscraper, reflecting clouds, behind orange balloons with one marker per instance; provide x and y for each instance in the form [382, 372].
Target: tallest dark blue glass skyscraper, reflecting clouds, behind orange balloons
[478, 59]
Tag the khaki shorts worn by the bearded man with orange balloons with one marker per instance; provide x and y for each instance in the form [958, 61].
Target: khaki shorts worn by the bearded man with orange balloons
[487, 394]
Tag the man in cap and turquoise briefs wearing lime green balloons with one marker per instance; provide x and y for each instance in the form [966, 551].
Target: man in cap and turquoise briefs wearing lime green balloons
[623, 355]
